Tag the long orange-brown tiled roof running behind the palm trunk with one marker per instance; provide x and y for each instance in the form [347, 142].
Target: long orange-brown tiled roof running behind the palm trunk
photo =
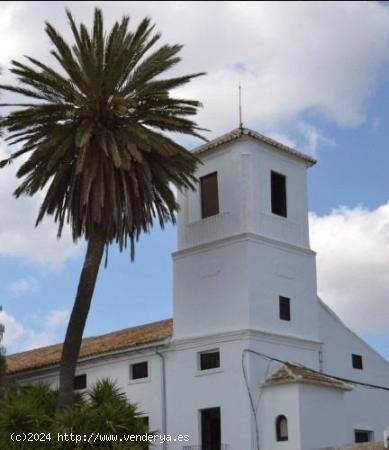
[118, 340]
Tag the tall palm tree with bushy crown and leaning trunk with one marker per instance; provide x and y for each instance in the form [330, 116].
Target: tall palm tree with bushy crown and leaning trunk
[93, 134]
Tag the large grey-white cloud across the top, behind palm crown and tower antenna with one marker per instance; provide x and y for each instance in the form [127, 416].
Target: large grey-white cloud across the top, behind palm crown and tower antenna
[290, 57]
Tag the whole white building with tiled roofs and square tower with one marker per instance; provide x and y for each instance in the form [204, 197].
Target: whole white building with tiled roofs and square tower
[244, 289]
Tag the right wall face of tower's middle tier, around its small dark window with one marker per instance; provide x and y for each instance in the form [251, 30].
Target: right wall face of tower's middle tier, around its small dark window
[276, 269]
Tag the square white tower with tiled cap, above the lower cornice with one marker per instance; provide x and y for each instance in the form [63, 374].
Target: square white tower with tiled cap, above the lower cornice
[243, 260]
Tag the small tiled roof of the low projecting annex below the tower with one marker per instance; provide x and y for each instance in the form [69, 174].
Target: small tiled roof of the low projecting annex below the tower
[292, 373]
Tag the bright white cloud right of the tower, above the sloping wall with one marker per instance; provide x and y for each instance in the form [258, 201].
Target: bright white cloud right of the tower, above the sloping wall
[352, 247]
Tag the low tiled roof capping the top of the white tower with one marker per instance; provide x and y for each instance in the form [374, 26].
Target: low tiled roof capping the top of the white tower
[239, 132]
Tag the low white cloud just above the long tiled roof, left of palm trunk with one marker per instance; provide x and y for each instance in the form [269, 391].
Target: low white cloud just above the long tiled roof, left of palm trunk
[18, 337]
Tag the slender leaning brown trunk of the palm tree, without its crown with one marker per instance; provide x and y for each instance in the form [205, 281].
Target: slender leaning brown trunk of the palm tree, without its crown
[77, 321]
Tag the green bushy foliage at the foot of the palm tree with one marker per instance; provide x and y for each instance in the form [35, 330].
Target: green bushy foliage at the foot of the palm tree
[104, 409]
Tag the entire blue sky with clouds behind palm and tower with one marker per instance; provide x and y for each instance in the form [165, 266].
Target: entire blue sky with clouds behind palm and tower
[314, 75]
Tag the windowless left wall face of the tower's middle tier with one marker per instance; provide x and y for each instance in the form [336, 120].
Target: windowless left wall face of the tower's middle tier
[210, 290]
